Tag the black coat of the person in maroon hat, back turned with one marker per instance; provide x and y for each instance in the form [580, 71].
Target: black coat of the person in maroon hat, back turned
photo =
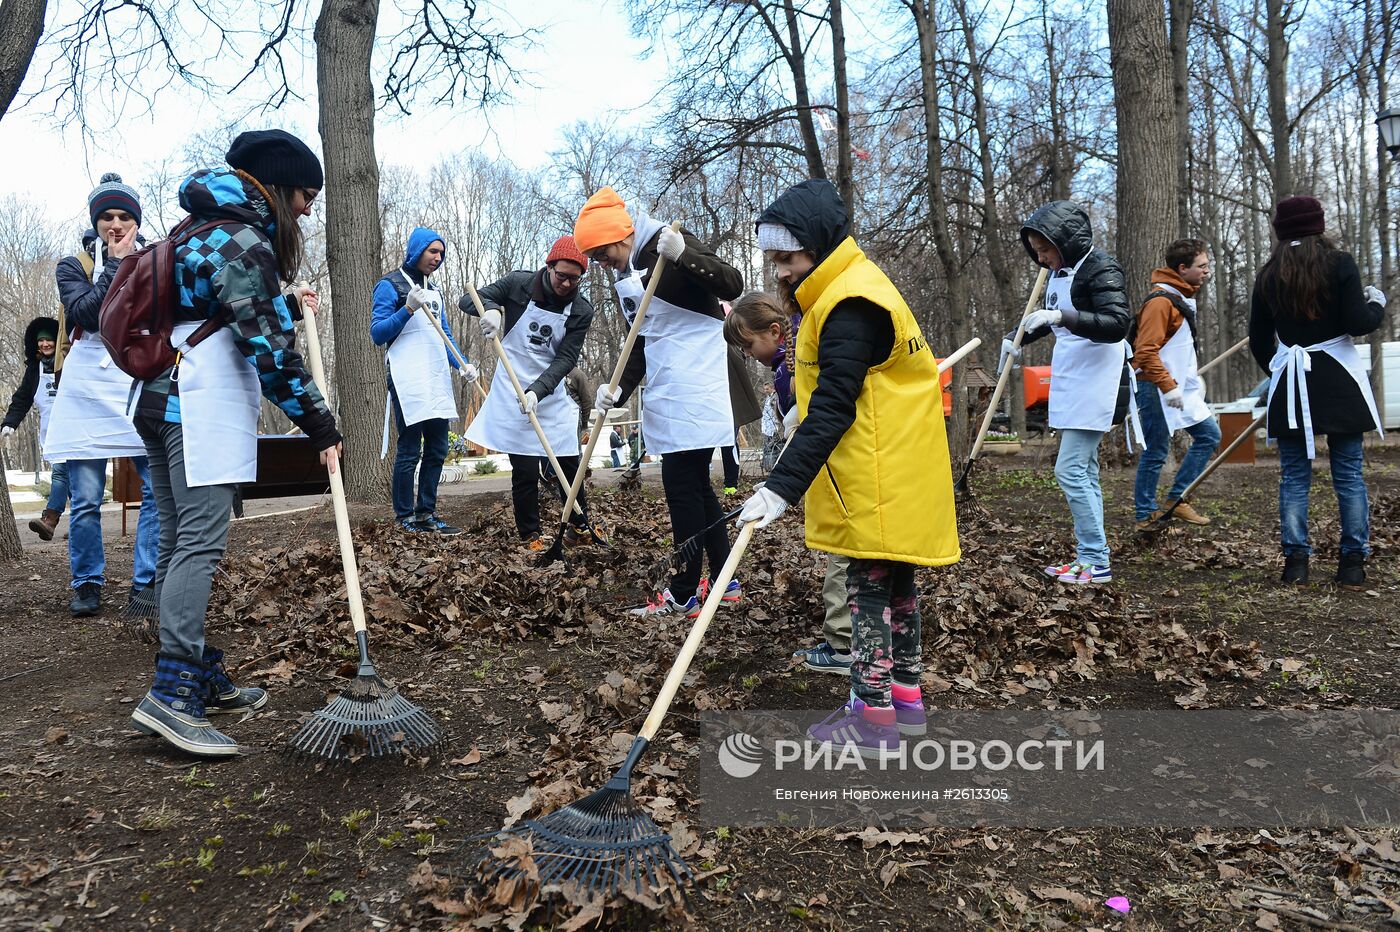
[1333, 397]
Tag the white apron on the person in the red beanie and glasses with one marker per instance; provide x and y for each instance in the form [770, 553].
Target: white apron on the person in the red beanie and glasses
[531, 346]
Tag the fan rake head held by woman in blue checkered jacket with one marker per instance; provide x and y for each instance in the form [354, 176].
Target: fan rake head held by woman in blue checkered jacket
[370, 719]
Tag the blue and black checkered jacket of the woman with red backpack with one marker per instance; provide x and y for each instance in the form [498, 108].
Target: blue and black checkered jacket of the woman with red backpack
[233, 269]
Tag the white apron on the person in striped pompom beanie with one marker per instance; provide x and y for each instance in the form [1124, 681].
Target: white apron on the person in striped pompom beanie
[89, 419]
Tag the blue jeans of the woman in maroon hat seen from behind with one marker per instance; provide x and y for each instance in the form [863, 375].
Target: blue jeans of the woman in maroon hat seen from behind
[1296, 482]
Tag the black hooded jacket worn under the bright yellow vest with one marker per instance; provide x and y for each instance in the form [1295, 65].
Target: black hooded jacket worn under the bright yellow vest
[857, 335]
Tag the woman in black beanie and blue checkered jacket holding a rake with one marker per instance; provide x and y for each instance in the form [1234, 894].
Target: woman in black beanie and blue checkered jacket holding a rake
[199, 421]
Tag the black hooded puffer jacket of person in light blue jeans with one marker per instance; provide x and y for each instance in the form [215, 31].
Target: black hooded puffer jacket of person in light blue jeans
[1101, 307]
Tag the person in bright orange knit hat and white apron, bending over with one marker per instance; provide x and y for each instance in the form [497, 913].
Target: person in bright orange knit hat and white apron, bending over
[682, 353]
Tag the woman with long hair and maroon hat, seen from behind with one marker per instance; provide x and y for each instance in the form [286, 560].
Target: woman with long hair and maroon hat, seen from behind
[1308, 306]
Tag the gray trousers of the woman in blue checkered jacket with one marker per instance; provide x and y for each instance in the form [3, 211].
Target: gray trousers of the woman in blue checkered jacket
[194, 534]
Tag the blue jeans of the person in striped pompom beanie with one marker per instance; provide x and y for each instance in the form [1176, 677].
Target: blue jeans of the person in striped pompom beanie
[87, 562]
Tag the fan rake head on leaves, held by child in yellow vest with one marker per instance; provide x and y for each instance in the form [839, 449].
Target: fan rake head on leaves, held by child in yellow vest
[603, 843]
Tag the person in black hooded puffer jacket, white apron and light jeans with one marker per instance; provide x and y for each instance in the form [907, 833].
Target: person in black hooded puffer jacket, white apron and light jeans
[1090, 384]
